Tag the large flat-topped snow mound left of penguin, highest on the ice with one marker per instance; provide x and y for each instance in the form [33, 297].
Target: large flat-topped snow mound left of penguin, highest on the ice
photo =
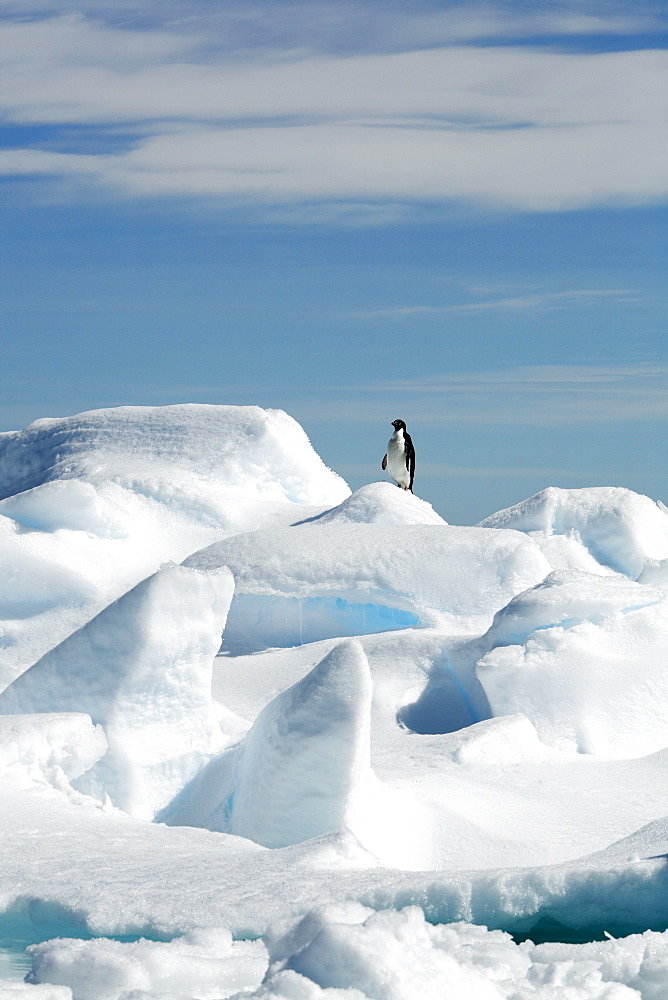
[97, 502]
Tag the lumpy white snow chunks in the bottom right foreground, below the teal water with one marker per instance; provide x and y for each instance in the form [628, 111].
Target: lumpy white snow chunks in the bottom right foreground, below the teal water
[350, 952]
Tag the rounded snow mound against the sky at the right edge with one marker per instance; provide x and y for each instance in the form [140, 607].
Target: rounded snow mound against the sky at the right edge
[621, 529]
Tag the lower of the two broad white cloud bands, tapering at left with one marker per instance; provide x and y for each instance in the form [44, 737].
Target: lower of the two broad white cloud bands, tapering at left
[529, 169]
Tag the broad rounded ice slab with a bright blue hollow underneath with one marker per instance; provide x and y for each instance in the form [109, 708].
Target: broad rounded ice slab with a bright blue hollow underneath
[317, 581]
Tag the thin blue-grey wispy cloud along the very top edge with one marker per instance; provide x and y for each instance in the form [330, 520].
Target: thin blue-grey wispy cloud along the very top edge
[353, 25]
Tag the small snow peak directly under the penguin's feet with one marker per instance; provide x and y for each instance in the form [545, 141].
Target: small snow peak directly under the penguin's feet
[381, 503]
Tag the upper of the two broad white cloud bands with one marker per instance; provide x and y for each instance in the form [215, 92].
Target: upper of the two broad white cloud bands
[72, 71]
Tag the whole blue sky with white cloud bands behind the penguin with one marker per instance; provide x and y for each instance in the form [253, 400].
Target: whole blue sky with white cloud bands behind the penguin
[455, 214]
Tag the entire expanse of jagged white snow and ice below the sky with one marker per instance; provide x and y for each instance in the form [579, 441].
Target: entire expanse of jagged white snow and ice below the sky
[261, 737]
